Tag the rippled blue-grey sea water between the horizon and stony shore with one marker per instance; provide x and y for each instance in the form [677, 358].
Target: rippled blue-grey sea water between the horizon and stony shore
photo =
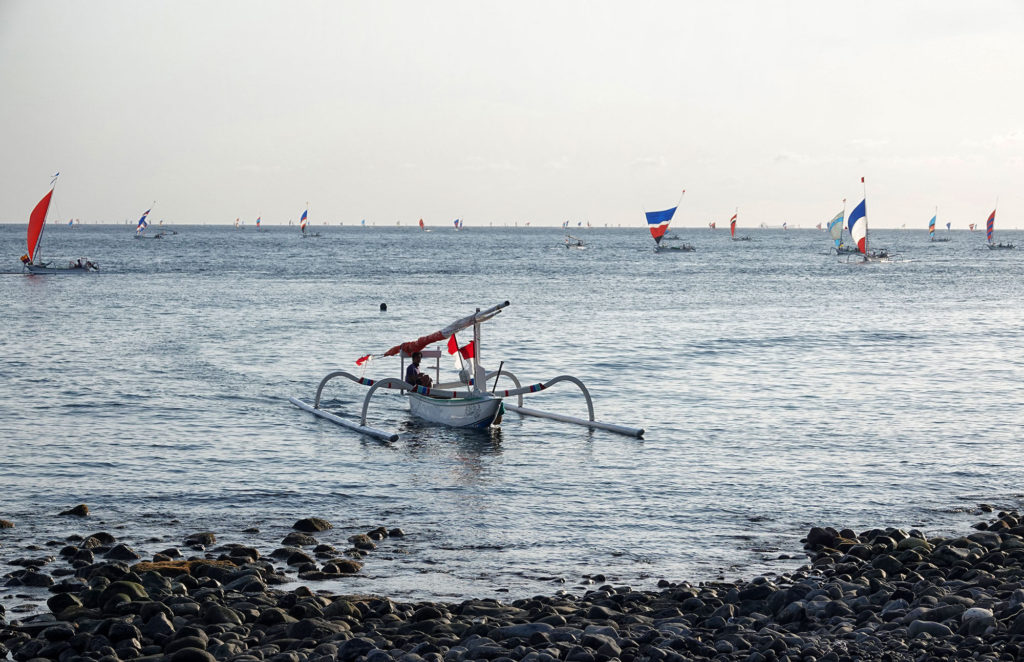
[780, 390]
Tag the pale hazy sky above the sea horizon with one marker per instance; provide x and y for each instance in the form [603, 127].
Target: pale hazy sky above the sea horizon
[502, 112]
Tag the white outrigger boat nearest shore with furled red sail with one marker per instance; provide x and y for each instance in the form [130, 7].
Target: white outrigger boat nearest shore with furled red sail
[466, 403]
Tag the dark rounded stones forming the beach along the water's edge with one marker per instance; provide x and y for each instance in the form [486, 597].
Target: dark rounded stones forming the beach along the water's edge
[879, 595]
